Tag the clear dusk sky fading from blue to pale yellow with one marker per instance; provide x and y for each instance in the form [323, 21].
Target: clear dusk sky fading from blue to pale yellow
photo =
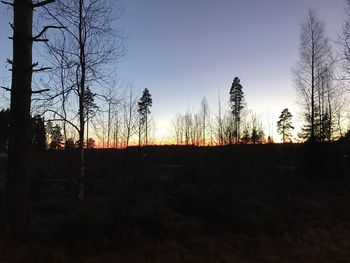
[184, 50]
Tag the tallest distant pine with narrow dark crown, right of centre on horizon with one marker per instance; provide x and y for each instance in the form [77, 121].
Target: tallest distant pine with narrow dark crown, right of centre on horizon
[236, 99]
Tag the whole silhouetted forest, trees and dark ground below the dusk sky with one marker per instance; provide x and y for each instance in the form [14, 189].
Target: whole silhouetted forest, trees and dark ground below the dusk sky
[83, 177]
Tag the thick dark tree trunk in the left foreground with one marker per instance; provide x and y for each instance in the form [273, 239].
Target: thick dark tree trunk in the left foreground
[18, 180]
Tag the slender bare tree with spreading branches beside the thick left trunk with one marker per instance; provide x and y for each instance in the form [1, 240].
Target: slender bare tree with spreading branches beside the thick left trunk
[91, 43]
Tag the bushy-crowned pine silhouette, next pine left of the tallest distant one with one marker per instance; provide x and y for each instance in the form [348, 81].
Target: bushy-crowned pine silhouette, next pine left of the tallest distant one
[144, 110]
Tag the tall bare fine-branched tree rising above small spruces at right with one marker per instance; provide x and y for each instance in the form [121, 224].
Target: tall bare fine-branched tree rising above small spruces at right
[315, 60]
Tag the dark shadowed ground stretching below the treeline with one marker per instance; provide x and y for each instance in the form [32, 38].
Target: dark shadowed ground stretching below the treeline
[246, 203]
